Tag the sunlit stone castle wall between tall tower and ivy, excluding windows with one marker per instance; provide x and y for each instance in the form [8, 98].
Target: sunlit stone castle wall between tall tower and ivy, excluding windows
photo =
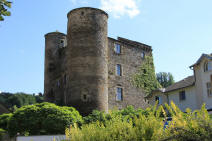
[130, 60]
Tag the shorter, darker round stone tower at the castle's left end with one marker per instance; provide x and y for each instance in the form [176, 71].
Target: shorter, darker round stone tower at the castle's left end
[53, 67]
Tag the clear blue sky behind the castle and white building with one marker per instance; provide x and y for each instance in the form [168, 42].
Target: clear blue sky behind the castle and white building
[179, 31]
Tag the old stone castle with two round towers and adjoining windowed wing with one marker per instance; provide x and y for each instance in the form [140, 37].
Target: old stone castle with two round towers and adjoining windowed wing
[87, 69]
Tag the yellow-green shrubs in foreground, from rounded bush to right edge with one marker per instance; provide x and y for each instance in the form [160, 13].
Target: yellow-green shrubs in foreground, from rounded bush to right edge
[145, 125]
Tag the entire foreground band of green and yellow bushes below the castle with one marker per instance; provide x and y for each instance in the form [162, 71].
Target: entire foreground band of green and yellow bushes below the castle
[128, 124]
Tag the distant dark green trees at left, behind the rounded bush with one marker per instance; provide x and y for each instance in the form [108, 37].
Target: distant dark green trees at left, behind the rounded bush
[19, 99]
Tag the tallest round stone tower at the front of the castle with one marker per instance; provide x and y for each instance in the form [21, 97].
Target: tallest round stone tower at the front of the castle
[87, 59]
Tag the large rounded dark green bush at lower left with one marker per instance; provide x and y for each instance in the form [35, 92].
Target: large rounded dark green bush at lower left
[44, 118]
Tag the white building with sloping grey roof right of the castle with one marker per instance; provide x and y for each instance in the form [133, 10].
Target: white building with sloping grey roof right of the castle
[190, 92]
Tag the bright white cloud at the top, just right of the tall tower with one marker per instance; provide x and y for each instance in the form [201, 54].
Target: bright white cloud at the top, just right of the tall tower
[120, 8]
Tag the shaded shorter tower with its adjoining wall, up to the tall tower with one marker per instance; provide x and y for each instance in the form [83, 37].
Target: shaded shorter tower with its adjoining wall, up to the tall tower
[54, 67]
